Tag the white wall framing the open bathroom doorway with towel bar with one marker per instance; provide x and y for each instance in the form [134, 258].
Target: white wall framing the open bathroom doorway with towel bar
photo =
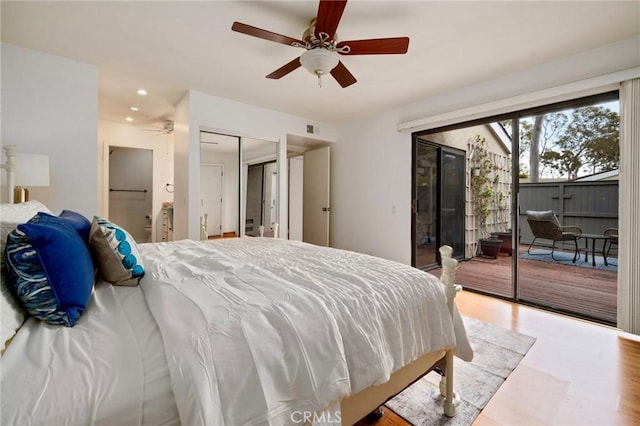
[126, 135]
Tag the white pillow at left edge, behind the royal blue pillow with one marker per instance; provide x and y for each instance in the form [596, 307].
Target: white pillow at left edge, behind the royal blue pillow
[12, 314]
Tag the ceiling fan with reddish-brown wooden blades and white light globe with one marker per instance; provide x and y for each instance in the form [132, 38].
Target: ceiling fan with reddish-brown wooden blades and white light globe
[322, 47]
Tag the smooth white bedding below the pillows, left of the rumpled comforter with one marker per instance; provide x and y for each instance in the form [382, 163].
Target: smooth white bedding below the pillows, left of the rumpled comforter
[109, 369]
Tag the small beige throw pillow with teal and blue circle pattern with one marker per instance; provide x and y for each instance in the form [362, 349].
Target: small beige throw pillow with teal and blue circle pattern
[116, 253]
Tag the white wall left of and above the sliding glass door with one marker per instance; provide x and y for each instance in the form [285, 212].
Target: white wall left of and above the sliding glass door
[371, 163]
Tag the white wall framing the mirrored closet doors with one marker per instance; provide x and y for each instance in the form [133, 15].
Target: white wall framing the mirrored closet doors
[198, 111]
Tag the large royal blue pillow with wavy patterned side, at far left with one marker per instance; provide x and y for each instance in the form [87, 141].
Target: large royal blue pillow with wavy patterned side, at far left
[50, 269]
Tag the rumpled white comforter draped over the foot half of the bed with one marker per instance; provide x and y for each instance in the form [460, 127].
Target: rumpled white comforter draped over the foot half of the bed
[255, 329]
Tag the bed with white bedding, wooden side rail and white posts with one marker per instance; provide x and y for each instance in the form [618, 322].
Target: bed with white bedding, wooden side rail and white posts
[234, 331]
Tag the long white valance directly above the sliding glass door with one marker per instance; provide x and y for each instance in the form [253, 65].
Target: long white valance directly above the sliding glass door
[564, 92]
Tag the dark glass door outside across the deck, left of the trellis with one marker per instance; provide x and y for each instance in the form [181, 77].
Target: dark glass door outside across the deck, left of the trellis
[438, 202]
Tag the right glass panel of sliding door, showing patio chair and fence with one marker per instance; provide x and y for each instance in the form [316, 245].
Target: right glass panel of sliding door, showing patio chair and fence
[569, 166]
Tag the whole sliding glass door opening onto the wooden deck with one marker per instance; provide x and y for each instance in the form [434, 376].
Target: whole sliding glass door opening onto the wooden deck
[483, 187]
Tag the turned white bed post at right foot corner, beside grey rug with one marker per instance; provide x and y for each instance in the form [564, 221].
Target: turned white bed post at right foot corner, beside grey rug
[449, 267]
